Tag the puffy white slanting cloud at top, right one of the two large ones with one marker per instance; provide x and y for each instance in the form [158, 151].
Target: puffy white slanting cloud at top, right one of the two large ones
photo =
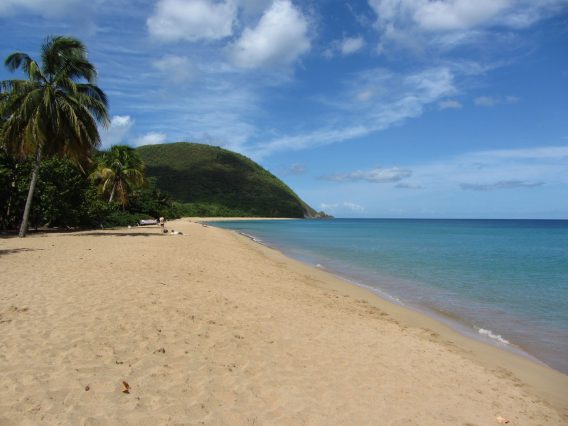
[280, 38]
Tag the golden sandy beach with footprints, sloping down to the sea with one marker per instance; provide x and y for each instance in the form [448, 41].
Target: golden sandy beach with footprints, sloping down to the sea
[211, 328]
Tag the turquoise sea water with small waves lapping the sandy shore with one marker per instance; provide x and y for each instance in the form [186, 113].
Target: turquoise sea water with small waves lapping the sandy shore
[503, 281]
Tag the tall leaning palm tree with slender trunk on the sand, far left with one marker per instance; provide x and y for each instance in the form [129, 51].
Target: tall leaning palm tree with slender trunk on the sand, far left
[55, 111]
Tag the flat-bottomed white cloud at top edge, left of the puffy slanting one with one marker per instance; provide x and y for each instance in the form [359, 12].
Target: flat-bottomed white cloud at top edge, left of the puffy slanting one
[192, 20]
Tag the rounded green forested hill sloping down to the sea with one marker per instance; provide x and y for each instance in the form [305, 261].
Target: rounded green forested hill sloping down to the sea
[212, 181]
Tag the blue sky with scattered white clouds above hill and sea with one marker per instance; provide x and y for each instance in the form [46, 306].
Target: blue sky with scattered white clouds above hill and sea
[366, 108]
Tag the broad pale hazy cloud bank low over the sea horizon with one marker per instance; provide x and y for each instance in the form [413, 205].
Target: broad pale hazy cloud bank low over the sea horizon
[523, 183]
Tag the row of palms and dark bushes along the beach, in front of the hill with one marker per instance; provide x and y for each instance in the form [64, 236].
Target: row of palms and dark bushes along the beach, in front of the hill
[51, 172]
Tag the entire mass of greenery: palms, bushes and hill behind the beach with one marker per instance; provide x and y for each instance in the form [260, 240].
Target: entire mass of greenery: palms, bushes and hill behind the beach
[48, 142]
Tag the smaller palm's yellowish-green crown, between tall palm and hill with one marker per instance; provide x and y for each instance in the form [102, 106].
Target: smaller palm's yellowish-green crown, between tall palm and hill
[119, 173]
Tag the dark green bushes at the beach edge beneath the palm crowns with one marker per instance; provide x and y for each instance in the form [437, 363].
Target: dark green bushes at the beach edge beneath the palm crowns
[66, 198]
